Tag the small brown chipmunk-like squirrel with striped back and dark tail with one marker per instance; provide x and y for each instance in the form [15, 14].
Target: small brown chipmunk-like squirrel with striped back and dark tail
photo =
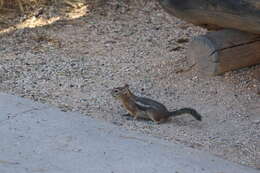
[140, 107]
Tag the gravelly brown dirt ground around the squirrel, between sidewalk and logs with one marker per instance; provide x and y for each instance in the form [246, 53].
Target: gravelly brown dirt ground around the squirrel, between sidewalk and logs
[72, 64]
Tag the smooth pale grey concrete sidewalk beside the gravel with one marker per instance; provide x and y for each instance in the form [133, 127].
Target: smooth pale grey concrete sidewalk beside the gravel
[39, 138]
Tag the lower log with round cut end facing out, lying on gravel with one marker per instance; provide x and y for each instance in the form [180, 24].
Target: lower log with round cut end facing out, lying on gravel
[221, 51]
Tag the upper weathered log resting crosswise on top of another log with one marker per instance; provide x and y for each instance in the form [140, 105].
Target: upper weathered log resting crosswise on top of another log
[216, 14]
